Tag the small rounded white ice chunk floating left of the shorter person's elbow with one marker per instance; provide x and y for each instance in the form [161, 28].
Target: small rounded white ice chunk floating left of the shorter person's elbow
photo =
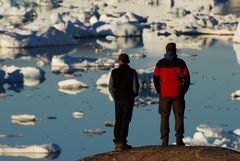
[71, 84]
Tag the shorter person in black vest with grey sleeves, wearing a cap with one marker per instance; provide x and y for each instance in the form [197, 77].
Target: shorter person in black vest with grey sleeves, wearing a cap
[123, 86]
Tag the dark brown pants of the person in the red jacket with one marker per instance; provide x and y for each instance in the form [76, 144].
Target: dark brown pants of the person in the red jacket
[165, 106]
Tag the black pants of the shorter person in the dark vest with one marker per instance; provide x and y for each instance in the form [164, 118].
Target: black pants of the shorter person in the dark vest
[123, 116]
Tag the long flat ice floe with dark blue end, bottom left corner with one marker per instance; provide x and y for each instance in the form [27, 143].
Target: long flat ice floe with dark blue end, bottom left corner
[31, 151]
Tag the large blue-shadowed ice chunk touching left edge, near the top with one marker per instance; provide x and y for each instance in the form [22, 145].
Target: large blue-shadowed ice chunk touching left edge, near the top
[47, 36]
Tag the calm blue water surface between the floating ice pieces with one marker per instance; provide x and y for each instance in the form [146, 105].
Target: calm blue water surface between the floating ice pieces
[215, 74]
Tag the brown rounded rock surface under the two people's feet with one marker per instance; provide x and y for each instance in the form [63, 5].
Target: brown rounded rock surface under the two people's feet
[169, 153]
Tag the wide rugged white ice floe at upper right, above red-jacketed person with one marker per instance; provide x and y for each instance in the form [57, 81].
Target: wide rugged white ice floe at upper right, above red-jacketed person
[196, 24]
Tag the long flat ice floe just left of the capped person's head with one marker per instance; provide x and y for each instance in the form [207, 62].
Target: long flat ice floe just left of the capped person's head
[64, 63]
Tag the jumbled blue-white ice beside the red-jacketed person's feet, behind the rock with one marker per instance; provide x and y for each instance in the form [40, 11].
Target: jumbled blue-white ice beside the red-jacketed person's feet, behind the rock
[210, 135]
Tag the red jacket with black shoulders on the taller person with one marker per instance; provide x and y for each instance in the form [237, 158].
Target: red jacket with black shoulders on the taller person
[171, 77]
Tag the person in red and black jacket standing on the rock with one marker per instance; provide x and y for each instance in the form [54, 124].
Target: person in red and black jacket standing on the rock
[171, 80]
